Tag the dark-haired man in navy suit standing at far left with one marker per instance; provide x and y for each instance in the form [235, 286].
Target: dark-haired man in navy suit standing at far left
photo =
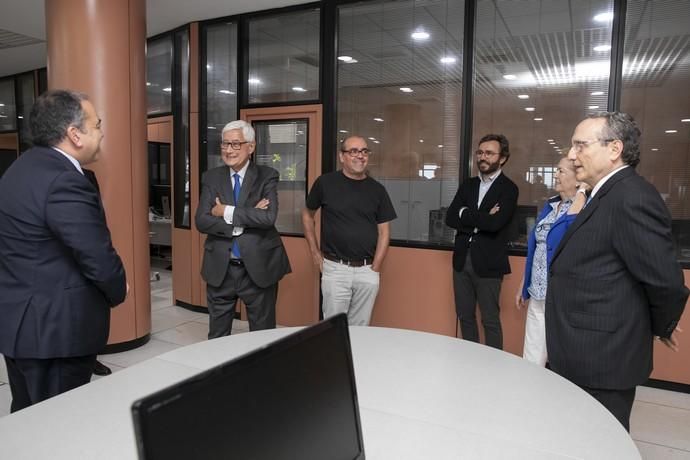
[59, 273]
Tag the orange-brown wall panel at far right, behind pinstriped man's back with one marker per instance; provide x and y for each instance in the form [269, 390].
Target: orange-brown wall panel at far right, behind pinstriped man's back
[669, 365]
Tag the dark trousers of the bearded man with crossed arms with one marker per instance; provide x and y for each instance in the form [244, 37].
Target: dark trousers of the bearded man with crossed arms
[470, 289]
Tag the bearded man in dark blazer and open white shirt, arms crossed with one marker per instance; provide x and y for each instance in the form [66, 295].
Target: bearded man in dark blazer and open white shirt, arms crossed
[481, 212]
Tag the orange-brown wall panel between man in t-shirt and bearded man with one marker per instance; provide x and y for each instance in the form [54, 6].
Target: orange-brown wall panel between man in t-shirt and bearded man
[416, 291]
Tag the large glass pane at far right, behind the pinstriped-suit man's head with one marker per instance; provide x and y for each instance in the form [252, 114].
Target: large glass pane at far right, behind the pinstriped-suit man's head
[656, 71]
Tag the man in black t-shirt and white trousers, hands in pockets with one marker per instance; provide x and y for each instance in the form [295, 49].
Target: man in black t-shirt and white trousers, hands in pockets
[355, 231]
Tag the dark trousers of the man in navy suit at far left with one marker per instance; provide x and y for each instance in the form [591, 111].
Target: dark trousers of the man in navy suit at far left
[34, 380]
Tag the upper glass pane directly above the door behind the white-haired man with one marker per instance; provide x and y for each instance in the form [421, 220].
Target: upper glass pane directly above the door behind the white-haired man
[284, 57]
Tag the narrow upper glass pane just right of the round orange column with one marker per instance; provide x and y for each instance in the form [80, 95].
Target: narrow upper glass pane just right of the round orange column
[158, 75]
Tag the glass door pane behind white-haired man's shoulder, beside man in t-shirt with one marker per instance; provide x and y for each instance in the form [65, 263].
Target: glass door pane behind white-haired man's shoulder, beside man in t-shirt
[282, 145]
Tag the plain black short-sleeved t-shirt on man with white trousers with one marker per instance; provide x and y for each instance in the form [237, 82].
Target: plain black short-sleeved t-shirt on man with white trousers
[350, 212]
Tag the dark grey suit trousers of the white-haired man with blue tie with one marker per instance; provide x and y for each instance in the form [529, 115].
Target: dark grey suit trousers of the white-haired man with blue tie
[221, 301]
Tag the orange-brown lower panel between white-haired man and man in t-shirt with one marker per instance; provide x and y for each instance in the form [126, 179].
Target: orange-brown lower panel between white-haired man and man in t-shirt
[298, 292]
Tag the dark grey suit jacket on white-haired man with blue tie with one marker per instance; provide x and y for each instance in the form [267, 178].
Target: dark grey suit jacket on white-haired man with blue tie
[260, 245]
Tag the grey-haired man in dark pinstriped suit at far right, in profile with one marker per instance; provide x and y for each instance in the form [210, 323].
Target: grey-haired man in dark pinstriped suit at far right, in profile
[614, 283]
